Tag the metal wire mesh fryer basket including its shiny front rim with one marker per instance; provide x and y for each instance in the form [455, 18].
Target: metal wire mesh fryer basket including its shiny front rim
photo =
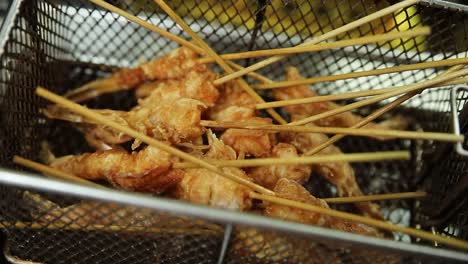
[63, 44]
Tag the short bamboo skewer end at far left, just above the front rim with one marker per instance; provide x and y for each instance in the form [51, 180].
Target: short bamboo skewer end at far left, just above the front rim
[47, 170]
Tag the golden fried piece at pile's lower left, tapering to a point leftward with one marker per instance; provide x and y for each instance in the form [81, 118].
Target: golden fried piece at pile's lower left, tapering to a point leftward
[148, 170]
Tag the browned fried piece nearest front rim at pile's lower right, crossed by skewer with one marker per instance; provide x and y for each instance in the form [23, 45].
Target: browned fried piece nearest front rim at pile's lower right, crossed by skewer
[291, 190]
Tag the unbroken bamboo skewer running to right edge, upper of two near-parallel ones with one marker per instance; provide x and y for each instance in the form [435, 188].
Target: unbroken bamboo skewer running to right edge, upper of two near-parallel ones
[401, 68]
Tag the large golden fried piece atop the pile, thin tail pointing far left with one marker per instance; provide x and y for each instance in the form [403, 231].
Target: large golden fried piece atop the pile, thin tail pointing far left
[172, 111]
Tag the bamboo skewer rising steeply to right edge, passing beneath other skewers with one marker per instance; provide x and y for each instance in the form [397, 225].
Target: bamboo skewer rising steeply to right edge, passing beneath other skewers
[373, 116]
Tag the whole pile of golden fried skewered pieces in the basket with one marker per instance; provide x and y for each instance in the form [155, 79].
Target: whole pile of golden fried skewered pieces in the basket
[174, 94]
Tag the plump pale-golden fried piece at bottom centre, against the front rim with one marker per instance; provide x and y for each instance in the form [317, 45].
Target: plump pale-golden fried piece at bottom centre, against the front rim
[205, 187]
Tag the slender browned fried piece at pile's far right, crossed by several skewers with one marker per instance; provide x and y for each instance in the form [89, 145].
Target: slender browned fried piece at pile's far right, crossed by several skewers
[341, 174]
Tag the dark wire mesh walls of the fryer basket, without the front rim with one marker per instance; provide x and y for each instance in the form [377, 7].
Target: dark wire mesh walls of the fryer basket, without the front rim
[61, 46]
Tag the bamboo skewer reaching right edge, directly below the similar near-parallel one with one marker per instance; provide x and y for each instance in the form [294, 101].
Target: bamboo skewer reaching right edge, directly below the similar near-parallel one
[343, 96]
